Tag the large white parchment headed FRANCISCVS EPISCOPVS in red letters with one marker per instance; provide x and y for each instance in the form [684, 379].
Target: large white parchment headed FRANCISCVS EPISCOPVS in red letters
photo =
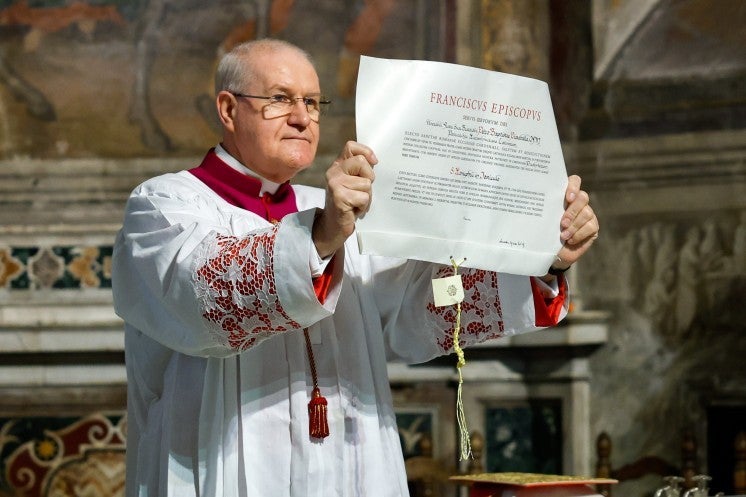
[470, 166]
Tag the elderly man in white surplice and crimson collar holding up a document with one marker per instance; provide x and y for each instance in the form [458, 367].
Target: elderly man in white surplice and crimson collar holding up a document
[257, 337]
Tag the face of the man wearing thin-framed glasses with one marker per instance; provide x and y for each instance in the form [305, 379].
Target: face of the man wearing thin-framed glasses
[277, 148]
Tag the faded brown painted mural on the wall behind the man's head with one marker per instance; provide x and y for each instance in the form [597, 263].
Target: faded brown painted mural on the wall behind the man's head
[133, 78]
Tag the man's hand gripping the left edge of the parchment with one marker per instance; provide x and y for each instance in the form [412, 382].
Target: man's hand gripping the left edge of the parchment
[349, 182]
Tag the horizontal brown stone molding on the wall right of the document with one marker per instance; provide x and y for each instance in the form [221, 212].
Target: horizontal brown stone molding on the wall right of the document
[668, 173]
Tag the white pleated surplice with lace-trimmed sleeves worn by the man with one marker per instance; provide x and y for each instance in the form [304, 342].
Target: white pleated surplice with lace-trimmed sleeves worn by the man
[217, 397]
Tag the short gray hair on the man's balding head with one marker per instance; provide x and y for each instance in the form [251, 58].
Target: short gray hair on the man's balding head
[236, 70]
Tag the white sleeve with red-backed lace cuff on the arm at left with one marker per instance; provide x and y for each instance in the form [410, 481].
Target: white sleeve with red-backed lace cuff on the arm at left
[212, 281]
